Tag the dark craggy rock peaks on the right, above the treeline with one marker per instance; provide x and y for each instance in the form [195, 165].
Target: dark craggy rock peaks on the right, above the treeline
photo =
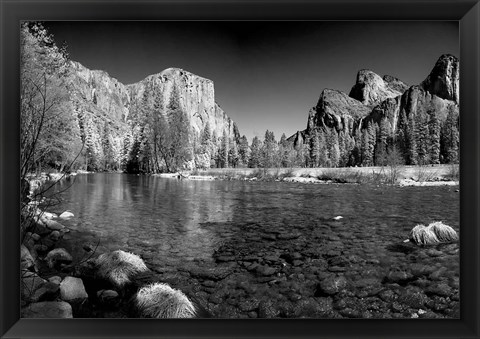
[386, 103]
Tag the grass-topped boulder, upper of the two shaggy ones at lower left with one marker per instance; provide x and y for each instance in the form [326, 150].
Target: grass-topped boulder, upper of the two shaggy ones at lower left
[118, 267]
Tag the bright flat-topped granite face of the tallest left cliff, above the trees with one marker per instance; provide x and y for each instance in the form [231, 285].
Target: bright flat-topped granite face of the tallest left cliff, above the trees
[197, 97]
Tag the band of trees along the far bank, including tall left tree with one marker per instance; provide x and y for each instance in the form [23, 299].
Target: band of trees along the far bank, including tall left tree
[58, 132]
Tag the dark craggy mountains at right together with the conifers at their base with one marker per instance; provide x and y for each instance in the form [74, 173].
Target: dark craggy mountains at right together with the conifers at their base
[380, 113]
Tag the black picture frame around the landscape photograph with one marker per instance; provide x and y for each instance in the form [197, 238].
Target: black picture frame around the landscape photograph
[466, 12]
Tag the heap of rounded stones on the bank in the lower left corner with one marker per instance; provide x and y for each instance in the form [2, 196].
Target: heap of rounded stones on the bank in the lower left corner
[48, 287]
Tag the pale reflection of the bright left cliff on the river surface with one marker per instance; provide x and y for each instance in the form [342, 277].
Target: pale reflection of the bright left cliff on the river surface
[140, 211]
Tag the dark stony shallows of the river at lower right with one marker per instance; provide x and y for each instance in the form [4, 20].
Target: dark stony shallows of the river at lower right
[271, 273]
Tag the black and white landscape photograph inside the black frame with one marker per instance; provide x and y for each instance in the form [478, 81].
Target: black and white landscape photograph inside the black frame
[240, 169]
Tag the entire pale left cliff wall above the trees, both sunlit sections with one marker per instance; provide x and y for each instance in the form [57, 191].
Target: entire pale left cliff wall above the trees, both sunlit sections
[110, 100]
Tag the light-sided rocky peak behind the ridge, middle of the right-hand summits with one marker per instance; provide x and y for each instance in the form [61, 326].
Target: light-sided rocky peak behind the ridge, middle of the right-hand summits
[370, 89]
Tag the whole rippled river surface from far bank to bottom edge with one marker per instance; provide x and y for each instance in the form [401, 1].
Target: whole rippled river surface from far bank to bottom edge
[181, 226]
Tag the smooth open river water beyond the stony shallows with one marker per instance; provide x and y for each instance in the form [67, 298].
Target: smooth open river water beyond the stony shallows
[182, 220]
